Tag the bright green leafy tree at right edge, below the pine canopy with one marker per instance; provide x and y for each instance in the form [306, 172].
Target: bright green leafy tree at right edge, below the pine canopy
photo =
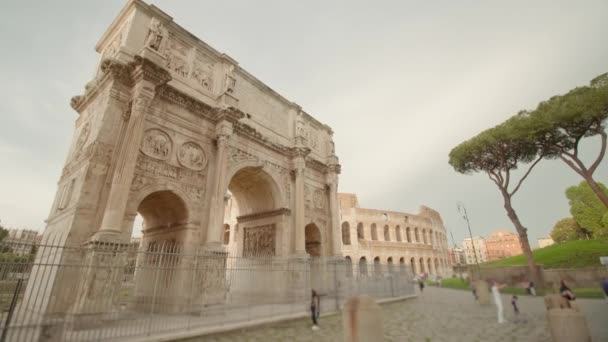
[588, 211]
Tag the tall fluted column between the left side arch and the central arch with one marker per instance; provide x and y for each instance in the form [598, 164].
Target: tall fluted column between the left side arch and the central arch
[216, 214]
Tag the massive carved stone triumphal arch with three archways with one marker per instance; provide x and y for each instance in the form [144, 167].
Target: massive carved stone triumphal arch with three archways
[176, 131]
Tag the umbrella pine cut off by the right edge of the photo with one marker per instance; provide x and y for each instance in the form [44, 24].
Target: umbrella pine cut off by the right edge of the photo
[562, 122]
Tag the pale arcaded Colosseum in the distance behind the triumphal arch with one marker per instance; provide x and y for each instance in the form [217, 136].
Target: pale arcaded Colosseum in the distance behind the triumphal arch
[417, 242]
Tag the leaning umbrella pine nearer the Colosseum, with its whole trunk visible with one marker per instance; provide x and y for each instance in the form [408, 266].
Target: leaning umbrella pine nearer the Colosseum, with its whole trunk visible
[499, 152]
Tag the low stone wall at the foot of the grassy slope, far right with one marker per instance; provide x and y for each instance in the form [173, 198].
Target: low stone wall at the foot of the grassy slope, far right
[581, 277]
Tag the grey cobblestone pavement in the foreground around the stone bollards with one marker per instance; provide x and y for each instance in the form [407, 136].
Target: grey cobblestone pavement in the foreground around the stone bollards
[436, 315]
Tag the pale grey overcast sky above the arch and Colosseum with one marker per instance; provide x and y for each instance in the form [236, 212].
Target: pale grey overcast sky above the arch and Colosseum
[400, 82]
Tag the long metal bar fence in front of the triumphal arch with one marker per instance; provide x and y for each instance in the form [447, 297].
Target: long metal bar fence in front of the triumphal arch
[119, 291]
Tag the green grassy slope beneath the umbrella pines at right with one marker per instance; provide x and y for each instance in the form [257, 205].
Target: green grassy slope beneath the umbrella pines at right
[572, 254]
